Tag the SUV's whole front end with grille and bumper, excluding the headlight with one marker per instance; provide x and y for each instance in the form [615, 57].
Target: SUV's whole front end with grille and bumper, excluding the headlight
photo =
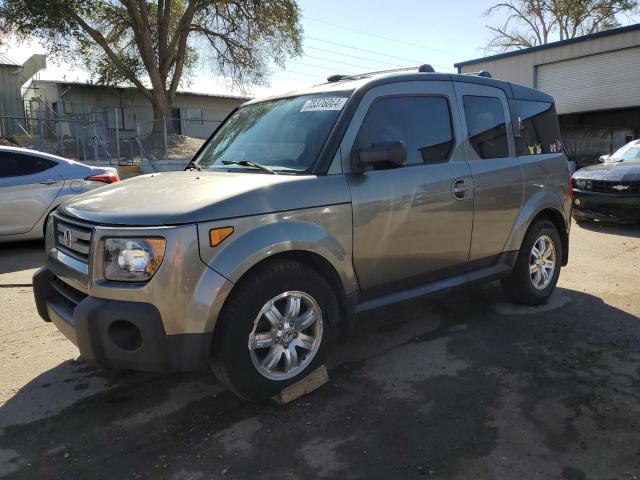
[165, 324]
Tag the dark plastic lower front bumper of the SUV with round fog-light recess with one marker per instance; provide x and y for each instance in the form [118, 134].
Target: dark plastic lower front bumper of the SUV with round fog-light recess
[115, 333]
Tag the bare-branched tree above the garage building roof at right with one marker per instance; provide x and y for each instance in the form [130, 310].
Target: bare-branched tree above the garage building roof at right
[537, 22]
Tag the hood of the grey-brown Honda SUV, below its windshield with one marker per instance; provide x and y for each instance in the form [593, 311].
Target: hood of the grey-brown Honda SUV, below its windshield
[174, 198]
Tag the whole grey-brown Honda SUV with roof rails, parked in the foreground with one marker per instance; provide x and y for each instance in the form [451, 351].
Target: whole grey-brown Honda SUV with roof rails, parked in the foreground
[304, 209]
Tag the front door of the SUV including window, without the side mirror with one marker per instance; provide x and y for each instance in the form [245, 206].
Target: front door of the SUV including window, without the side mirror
[411, 224]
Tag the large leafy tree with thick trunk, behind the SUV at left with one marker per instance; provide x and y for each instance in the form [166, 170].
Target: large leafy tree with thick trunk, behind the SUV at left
[154, 44]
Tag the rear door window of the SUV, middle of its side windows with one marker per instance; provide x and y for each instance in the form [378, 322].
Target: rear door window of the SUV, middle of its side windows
[486, 125]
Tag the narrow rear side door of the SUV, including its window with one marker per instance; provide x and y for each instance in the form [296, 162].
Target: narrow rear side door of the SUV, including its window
[496, 171]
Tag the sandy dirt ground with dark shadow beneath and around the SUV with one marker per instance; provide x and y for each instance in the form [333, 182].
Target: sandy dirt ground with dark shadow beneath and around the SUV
[460, 386]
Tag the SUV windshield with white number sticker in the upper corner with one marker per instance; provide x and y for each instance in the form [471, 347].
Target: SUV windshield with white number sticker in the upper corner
[284, 135]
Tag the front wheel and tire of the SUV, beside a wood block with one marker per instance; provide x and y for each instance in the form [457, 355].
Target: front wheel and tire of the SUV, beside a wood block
[248, 315]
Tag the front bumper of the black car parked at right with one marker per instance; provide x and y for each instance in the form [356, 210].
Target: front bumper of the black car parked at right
[606, 206]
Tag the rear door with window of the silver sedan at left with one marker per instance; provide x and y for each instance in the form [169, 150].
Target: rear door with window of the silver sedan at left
[28, 186]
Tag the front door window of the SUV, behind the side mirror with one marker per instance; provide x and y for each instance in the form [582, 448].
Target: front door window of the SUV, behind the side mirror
[422, 123]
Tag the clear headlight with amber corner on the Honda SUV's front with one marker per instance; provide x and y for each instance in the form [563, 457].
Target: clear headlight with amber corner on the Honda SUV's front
[132, 259]
